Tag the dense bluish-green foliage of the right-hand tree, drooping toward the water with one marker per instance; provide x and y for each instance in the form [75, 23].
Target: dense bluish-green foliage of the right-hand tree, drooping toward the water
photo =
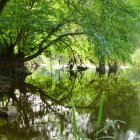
[111, 27]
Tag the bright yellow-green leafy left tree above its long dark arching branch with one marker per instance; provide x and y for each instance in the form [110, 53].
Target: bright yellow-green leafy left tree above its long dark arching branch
[28, 28]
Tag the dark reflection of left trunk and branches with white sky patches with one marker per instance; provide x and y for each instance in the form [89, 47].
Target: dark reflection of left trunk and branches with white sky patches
[25, 96]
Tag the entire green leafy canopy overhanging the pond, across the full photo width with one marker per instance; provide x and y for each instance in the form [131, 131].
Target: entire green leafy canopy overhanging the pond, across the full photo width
[106, 30]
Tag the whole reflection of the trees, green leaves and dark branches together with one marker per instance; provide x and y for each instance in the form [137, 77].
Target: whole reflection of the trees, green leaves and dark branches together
[43, 97]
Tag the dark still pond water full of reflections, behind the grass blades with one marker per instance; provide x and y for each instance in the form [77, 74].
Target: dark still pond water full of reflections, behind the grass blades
[44, 100]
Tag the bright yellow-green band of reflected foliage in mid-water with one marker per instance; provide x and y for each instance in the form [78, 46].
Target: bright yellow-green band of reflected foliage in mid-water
[84, 91]
